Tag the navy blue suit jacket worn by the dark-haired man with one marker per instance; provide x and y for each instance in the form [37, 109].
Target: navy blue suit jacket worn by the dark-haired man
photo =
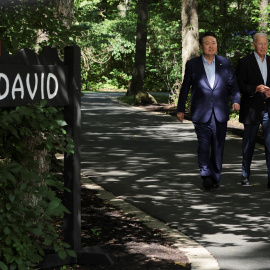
[204, 99]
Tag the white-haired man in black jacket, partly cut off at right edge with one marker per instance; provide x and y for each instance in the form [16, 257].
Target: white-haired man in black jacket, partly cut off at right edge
[253, 76]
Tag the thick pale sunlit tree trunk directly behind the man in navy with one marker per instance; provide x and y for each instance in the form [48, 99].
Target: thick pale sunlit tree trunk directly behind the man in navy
[190, 31]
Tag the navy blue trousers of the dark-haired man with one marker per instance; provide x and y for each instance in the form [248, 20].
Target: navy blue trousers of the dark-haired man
[211, 139]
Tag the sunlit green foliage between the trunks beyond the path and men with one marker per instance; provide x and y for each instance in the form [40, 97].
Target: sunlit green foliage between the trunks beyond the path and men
[108, 40]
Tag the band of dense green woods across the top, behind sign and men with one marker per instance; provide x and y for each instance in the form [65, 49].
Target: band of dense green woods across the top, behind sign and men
[107, 32]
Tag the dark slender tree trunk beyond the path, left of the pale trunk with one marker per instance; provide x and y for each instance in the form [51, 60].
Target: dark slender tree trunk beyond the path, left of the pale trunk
[140, 55]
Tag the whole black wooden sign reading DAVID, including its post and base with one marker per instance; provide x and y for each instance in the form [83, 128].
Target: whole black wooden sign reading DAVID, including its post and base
[29, 78]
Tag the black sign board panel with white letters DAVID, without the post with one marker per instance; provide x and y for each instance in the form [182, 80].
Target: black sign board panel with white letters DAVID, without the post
[23, 84]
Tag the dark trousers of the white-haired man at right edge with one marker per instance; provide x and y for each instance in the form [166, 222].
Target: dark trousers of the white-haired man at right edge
[248, 144]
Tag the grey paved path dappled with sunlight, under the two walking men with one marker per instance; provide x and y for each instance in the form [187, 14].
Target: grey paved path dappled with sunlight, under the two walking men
[150, 161]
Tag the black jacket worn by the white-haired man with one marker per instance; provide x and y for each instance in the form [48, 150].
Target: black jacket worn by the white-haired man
[248, 75]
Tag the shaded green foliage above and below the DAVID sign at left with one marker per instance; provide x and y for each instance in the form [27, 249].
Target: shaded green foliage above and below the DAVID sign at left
[29, 199]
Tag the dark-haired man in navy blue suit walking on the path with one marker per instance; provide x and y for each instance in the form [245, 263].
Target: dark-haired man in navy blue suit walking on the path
[212, 80]
